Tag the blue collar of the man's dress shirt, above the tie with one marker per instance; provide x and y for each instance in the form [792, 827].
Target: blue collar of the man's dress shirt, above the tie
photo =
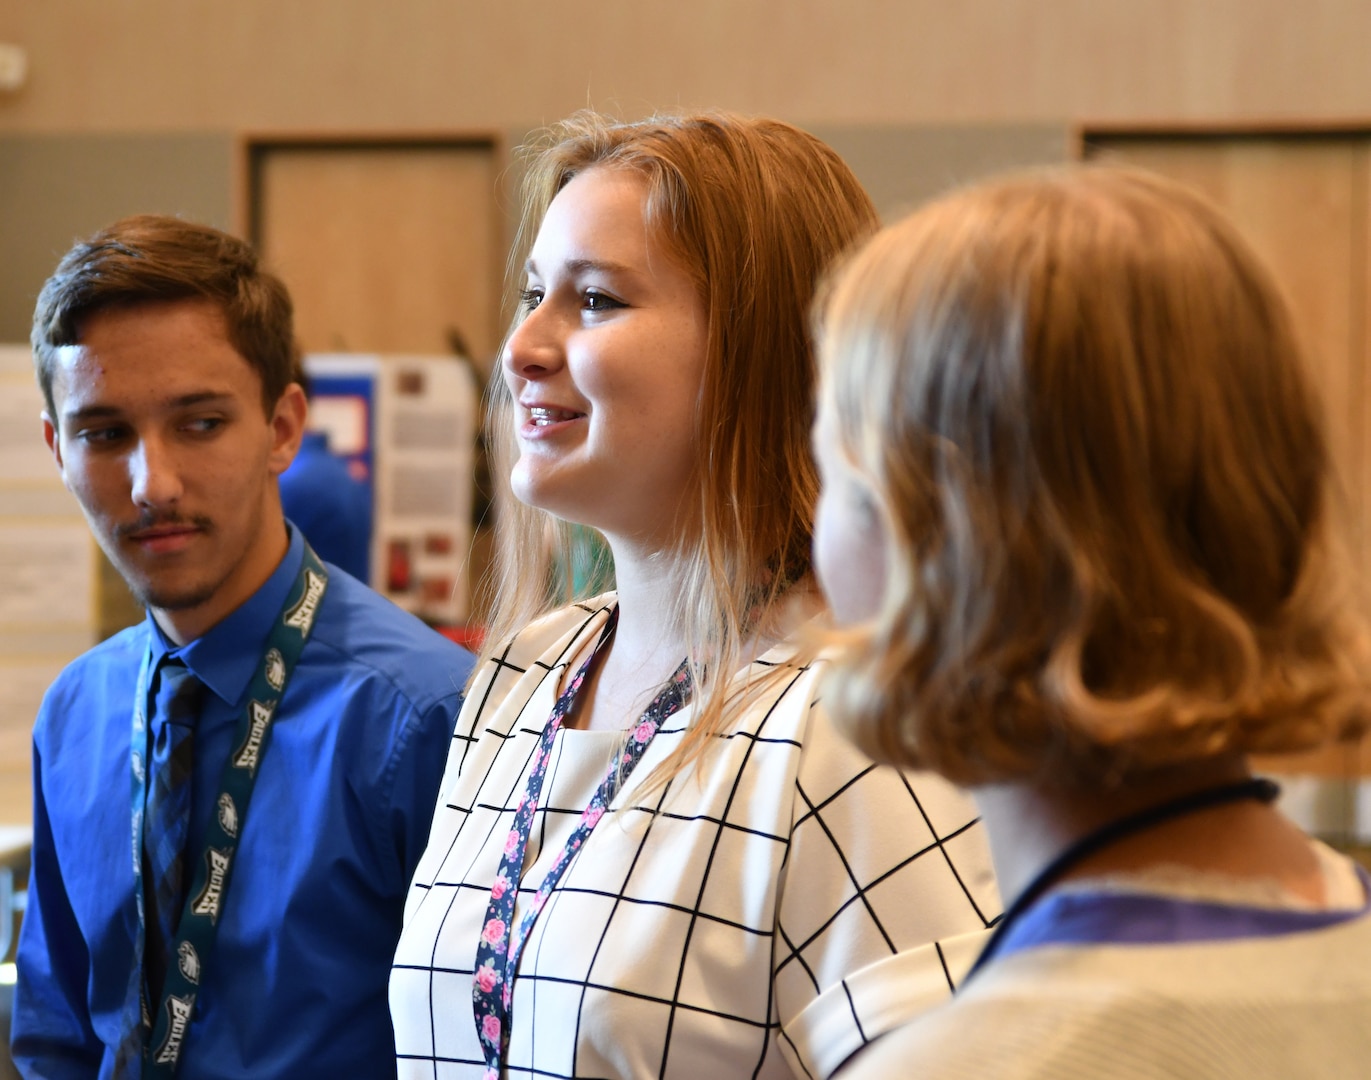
[227, 656]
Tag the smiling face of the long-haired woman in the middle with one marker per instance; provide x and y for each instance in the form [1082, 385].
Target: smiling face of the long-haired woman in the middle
[607, 367]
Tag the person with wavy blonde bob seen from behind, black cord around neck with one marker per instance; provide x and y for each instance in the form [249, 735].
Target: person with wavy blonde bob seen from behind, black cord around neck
[1077, 516]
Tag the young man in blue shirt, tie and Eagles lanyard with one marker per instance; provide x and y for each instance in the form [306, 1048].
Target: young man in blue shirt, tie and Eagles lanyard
[165, 357]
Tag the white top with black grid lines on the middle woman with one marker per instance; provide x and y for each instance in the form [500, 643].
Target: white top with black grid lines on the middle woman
[781, 907]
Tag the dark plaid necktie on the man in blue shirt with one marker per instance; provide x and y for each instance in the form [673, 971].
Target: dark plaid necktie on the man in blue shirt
[167, 816]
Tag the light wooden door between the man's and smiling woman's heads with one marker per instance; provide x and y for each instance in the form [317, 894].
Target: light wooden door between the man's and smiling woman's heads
[386, 247]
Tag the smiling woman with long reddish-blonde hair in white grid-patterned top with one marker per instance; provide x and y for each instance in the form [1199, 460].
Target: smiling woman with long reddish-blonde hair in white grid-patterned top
[653, 856]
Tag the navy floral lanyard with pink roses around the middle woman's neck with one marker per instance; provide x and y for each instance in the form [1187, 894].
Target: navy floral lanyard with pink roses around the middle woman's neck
[498, 953]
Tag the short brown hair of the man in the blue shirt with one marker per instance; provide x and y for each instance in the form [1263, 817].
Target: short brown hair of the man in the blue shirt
[150, 260]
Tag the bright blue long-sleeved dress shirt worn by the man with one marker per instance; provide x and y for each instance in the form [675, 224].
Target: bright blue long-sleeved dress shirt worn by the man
[297, 982]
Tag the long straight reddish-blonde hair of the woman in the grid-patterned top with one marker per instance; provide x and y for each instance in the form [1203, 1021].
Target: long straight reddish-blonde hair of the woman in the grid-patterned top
[755, 210]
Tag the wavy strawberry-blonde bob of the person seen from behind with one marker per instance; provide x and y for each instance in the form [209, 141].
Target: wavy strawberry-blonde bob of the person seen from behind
[1080, 408]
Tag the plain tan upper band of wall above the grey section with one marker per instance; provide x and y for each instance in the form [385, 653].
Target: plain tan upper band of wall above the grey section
[195, 65]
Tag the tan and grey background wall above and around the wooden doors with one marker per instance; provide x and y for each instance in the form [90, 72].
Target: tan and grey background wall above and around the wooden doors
[143, 105]
